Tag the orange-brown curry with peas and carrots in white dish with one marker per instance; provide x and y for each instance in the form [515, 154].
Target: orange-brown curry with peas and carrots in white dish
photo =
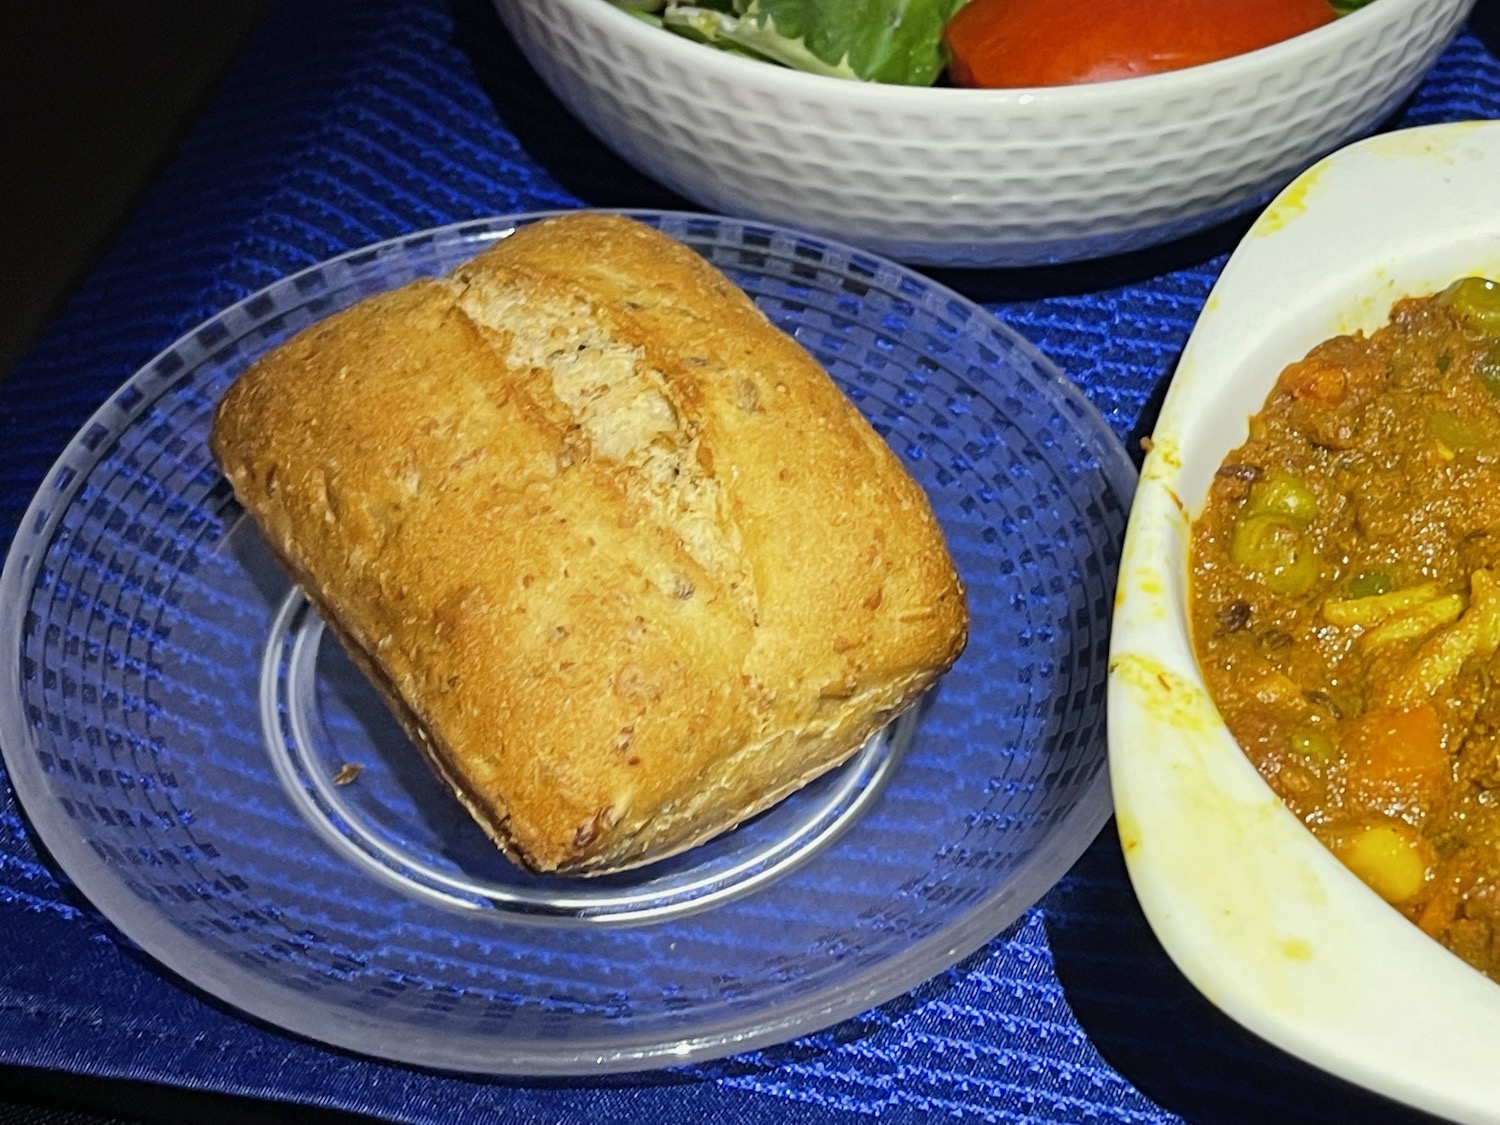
[1346, 607]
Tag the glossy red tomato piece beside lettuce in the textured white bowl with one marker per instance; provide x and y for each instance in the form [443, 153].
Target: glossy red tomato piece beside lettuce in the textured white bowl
[1061, 43]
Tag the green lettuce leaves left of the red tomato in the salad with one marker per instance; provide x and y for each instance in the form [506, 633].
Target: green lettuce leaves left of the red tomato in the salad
[880, 41]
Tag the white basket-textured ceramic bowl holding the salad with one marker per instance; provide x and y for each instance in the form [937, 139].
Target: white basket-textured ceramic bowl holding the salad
[979, 178]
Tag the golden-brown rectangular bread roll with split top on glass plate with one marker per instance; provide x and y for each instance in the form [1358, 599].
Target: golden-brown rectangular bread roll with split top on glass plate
[620, 556]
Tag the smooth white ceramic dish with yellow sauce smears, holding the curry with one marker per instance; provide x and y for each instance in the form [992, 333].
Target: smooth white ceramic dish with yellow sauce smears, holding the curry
[1246, 901]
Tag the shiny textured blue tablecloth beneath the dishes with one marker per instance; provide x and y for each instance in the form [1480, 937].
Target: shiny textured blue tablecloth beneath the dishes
[353, 121]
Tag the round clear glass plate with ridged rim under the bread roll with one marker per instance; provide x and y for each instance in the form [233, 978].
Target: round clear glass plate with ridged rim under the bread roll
[221, 784]
